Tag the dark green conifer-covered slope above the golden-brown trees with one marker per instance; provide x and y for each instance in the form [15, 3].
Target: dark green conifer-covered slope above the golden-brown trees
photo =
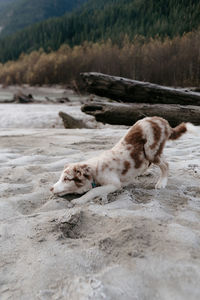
[103, 19]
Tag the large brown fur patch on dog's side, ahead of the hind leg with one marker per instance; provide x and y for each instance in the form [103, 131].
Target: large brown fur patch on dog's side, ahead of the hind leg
[135, 138]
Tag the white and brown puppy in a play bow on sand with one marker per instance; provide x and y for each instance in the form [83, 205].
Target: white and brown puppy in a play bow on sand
[130, 157]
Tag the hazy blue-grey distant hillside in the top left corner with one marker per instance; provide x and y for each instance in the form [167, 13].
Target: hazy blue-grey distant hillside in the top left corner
[18, 14]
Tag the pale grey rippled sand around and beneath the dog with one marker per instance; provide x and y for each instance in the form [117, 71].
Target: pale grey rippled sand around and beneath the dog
[143, 244]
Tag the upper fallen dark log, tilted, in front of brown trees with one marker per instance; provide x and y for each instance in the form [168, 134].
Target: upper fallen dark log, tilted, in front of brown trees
[127, 90]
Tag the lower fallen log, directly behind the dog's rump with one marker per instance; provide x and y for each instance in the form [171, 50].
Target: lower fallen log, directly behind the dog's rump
[123, 114]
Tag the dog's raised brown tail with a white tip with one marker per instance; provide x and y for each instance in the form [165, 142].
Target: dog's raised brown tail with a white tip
[179, 130]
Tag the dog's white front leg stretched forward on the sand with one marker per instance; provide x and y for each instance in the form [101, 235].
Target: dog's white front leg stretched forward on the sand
[96, 192]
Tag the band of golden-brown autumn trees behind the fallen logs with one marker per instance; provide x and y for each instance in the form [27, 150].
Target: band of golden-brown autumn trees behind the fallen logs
[174, 62]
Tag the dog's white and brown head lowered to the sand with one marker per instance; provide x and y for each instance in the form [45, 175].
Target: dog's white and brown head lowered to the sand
[75, 179]
